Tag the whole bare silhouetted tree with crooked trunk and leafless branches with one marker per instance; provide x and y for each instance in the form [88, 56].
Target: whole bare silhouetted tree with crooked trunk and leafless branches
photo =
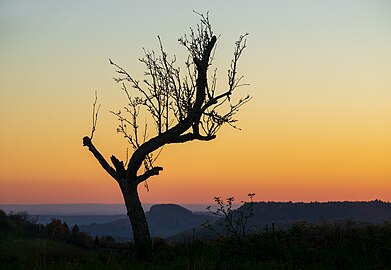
[181, 107]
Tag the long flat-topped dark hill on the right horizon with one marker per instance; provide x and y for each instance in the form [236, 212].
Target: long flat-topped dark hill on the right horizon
[284, 214]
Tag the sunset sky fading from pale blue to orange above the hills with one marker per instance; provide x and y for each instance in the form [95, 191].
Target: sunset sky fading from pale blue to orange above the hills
[318, 127]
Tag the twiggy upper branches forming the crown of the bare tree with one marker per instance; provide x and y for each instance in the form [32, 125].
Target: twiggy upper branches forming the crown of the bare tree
[169, 96]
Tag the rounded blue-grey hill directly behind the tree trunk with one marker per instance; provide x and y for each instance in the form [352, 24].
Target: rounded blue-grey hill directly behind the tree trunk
[164, 220]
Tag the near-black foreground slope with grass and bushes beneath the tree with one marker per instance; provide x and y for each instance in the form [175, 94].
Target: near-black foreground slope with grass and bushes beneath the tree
[343, 244]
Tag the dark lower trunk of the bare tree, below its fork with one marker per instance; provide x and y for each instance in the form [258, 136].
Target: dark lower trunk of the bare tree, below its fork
[135, 212]
